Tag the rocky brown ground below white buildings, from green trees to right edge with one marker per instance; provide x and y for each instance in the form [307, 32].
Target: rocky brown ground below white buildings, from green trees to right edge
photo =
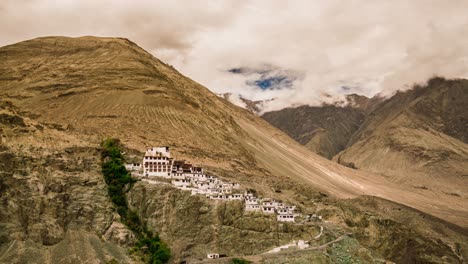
[374, 230]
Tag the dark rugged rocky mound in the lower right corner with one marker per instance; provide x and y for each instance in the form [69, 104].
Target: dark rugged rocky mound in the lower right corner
[398, 234]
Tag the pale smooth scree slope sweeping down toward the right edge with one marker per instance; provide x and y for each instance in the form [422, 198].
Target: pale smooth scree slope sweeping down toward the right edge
[281, 154]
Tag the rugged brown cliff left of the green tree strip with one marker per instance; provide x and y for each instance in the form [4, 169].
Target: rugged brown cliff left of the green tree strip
[53, 201]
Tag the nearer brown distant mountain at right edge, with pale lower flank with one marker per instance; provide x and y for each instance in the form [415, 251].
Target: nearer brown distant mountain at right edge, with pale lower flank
[418, 138]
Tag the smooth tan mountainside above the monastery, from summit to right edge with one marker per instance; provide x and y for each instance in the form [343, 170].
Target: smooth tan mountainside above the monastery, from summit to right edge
[111, 87]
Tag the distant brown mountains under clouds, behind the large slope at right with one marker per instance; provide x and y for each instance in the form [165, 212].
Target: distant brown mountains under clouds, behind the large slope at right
[418, 137]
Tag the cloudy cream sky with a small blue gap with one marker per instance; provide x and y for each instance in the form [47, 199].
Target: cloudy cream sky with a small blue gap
[298, 52]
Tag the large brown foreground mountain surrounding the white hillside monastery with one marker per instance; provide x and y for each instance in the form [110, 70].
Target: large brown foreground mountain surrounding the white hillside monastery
[60, 97]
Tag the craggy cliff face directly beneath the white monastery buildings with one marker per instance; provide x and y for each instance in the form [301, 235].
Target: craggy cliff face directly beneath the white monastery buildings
[194, 225]
